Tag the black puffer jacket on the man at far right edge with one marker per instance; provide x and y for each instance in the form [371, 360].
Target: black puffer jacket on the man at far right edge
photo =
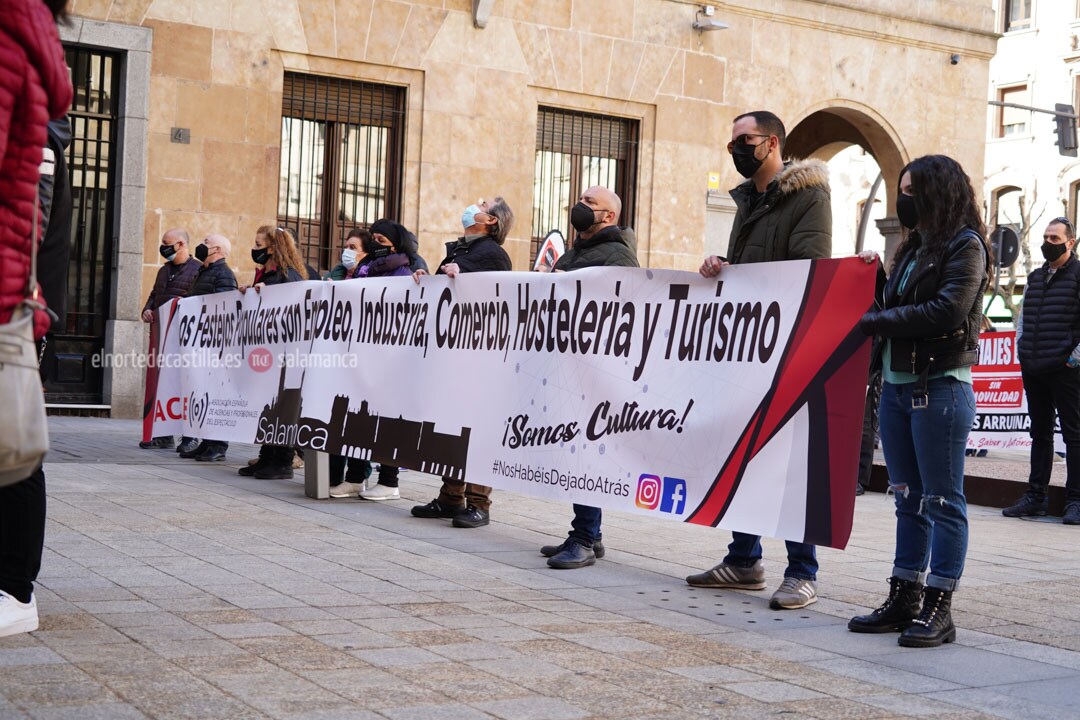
[1051, 320]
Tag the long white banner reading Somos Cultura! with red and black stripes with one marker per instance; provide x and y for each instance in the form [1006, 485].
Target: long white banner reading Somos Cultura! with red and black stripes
[735, 402]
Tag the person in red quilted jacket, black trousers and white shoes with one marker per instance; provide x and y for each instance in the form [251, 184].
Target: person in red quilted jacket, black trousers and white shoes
[35, 88]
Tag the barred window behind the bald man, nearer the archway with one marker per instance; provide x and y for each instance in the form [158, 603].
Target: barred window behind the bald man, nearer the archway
[575, 152]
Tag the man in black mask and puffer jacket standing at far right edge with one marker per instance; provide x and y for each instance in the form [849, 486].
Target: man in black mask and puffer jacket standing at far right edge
[1048, 337]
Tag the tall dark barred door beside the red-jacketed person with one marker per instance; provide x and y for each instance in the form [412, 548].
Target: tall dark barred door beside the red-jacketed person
[71, 375]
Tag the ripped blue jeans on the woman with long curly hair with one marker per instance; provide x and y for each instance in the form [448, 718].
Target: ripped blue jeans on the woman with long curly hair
[924, 454]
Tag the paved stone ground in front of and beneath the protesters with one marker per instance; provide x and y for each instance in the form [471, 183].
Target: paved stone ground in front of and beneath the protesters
[175, 590]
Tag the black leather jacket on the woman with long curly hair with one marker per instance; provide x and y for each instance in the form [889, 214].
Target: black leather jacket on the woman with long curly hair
[935, 323]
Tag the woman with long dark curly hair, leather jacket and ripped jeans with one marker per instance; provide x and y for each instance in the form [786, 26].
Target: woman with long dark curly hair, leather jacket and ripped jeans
[928, 317]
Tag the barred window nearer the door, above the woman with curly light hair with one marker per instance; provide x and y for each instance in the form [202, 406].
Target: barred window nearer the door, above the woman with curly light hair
[342, 159]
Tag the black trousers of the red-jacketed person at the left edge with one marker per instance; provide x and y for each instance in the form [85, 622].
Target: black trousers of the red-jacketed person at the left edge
[22, 535]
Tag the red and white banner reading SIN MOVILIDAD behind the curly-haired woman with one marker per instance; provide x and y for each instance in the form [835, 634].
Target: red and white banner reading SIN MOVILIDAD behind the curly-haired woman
[1002, 420]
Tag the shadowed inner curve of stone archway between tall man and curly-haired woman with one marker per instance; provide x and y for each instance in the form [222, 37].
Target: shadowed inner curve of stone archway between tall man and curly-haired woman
[825, 132]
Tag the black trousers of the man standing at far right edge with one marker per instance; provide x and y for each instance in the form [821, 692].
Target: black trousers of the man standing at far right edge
[1050, 393]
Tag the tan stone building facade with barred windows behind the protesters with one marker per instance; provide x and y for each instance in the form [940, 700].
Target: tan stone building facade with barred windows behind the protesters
[484, 90]
